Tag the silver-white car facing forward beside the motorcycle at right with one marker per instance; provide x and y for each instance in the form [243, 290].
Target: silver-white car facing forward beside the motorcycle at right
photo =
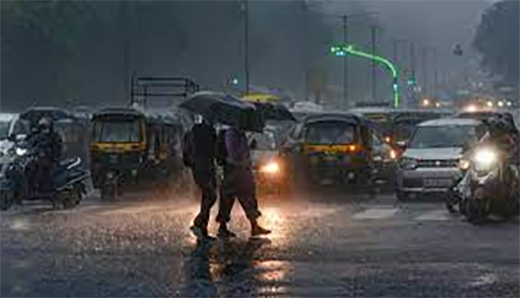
[431, 162]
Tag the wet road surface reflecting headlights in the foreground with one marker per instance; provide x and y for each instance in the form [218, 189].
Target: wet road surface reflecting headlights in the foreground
[333, 246]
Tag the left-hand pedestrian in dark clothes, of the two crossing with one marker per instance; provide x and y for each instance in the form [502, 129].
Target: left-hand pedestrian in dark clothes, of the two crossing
[199, 155]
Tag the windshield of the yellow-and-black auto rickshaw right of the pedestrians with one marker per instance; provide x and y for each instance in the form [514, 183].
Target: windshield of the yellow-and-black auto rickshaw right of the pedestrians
[330, 132]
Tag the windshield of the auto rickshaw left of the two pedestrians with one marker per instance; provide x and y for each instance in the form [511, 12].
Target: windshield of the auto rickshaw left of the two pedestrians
[117, 131]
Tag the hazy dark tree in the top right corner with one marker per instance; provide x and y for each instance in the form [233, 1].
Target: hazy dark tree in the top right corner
[497, 40]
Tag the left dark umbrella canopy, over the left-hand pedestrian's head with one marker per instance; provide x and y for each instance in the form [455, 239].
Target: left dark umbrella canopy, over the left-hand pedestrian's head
[225, 109]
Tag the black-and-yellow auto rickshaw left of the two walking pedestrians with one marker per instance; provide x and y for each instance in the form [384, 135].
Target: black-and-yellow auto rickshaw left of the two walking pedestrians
[129, 145]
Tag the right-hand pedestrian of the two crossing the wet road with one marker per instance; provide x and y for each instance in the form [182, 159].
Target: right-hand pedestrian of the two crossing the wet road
[238, 183]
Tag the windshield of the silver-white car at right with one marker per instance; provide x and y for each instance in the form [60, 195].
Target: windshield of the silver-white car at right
[445, 136]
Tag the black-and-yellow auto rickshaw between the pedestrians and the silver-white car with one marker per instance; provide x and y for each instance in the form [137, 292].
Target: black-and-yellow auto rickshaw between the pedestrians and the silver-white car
[332, 149]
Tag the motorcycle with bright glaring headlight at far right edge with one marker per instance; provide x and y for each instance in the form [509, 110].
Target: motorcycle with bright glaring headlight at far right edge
[490, 186]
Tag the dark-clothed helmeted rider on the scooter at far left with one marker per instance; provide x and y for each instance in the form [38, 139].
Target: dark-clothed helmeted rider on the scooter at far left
[47, 145]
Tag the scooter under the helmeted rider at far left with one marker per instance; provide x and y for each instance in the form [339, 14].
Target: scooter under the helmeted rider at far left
[69, 179]
